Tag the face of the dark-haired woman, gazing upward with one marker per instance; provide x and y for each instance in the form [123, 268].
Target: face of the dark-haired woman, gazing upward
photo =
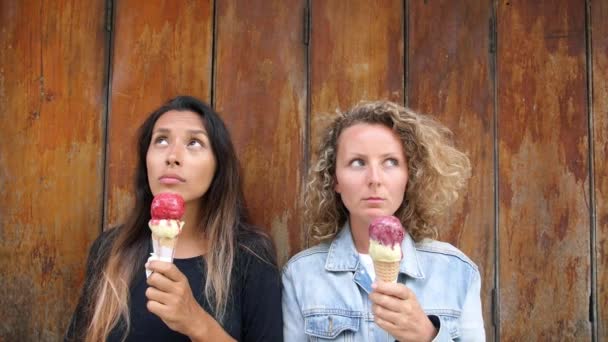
[180, 159]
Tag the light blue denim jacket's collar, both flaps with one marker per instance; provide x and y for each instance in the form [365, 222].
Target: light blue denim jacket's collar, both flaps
[343, 256]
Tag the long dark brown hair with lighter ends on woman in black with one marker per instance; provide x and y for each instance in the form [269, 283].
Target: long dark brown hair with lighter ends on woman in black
[224, 221]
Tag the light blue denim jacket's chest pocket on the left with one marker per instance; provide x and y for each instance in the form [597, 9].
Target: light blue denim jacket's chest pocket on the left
[336, 325]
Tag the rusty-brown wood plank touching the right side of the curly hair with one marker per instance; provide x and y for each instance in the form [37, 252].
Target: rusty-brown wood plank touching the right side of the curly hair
[449, 77]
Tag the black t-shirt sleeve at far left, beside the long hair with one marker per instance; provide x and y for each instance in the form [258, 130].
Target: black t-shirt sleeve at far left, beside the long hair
[79, 321]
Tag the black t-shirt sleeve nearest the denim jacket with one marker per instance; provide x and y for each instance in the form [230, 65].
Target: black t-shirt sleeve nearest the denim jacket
[262, 316]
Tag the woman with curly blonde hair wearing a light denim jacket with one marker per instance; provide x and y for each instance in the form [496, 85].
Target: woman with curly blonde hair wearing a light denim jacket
[381, 159]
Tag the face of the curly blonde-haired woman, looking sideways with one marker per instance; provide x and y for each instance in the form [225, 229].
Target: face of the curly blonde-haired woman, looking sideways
[371, 171]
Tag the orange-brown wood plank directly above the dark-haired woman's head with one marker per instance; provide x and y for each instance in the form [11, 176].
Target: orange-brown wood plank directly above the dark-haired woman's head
[160, 51]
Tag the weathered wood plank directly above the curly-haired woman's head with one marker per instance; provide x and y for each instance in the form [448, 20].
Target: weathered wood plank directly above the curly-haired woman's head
[356, 53]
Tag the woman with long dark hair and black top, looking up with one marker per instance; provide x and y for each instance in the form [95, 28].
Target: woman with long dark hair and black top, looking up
[224, 283]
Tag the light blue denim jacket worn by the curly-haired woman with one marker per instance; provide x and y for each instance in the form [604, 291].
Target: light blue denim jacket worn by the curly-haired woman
[325, 292]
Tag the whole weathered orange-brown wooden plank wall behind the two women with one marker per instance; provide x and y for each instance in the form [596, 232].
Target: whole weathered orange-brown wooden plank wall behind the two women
[521, 83]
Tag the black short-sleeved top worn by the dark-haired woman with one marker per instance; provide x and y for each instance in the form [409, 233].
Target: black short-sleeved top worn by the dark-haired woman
[253, 312]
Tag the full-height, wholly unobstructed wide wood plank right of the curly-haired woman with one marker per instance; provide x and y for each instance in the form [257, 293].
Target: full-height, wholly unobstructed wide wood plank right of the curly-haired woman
[543, 171]
